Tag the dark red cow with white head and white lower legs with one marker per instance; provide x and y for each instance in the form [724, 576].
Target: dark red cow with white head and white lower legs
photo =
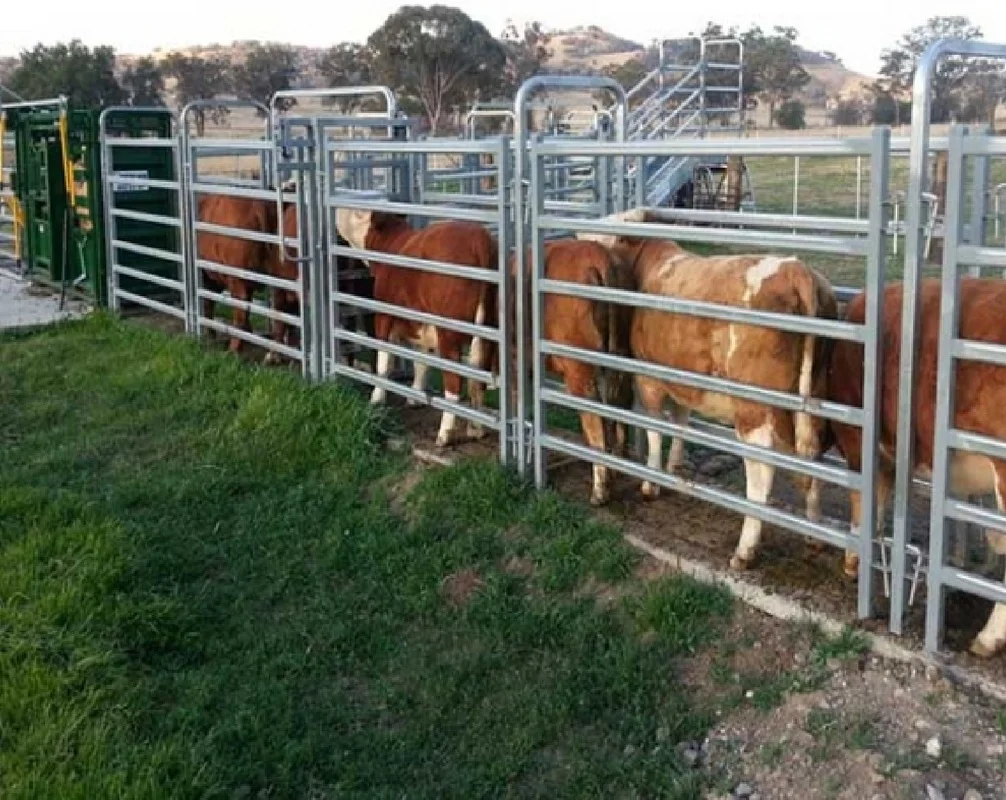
[462, 244]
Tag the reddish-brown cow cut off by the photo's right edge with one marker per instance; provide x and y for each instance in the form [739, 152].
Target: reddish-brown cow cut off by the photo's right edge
[979, 403]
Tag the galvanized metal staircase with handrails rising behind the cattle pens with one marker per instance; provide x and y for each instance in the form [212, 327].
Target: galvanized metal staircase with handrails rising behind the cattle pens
[697, 88]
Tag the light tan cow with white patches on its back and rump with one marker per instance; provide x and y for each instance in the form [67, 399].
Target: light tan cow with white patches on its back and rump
[755, 356]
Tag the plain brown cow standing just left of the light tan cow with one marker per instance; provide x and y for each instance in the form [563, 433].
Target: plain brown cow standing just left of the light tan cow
[590, 326]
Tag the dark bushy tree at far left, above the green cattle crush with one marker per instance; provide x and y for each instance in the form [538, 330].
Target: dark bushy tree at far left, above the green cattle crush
[87, 77]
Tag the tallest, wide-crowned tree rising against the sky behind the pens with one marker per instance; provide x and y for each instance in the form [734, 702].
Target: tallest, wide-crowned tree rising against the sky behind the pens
[438, 56]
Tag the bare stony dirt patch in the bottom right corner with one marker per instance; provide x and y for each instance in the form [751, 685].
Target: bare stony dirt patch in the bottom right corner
[854, 727]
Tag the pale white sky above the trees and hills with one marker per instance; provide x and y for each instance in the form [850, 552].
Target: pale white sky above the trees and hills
[857, 30]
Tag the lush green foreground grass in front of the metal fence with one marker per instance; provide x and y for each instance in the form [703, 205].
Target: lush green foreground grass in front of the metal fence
[211, 587]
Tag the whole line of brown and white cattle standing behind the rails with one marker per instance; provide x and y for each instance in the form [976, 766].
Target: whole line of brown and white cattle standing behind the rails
[762, 357]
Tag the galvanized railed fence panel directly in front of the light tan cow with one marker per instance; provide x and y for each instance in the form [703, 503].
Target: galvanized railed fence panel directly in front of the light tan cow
[872, 247]
